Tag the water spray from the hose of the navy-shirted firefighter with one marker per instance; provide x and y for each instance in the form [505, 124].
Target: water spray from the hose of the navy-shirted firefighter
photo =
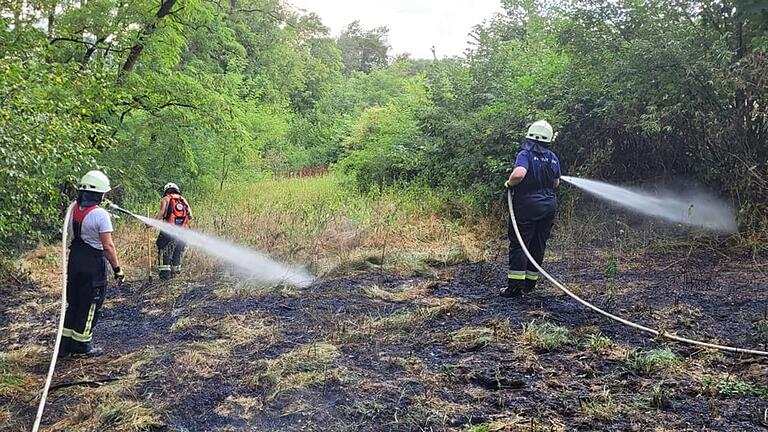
[695, 208]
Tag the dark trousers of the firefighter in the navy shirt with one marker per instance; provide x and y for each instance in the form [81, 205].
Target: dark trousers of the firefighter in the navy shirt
[535, 215]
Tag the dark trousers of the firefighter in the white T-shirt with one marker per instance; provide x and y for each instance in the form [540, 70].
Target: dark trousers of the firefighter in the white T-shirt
[86, 287]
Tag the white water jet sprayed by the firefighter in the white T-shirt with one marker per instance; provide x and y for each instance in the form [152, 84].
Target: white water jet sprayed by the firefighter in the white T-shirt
[246, 262]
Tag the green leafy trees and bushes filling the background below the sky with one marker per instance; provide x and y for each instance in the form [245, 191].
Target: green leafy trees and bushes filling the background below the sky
[212, 93]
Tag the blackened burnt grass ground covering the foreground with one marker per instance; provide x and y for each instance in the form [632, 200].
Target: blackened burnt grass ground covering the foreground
[411, 373]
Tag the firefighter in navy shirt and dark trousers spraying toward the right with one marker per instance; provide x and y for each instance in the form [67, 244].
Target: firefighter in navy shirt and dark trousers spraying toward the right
[533, 182]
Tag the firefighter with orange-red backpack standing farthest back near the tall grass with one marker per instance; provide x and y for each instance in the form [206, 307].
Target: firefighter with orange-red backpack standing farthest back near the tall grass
[175, 210]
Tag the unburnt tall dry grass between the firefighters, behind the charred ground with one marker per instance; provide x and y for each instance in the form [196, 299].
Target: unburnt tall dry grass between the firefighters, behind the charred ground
[316, 221]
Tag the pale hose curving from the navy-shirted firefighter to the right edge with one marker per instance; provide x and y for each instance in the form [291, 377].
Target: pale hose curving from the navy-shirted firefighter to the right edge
[657, 333]
